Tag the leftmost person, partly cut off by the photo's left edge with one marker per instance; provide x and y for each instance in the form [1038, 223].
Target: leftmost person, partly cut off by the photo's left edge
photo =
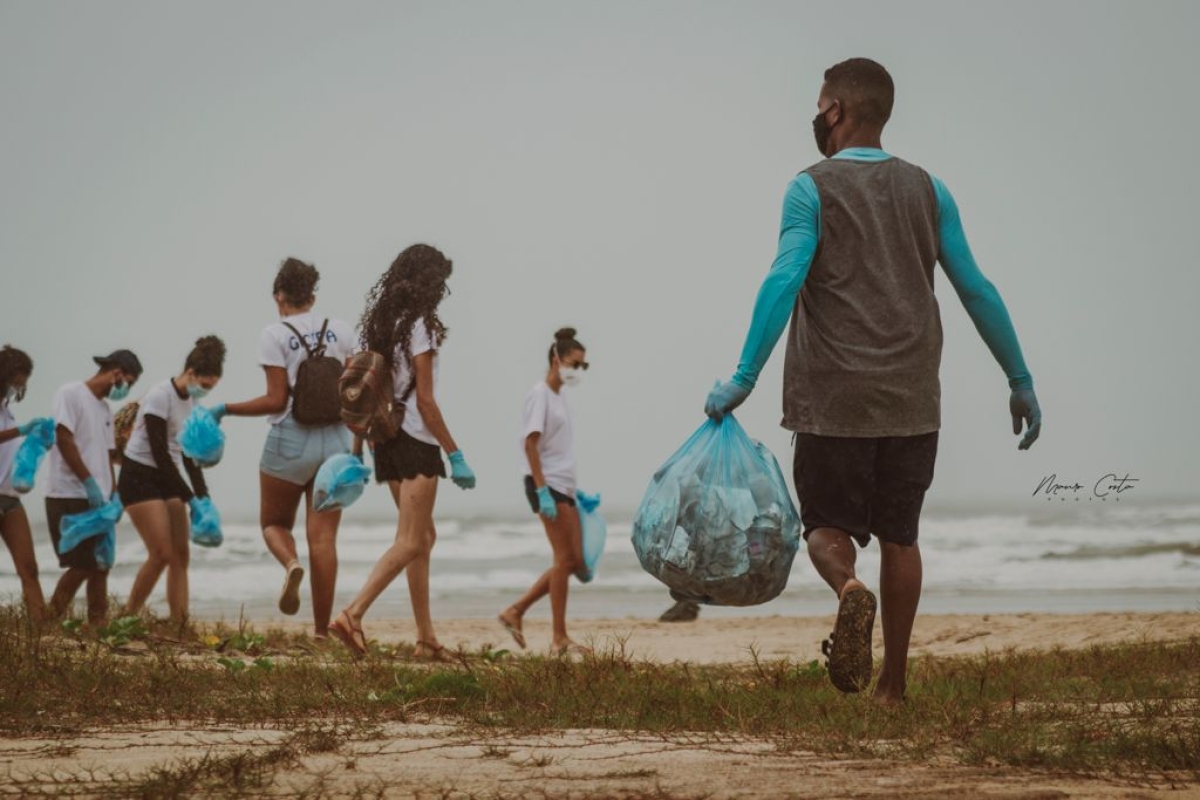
[16, 368]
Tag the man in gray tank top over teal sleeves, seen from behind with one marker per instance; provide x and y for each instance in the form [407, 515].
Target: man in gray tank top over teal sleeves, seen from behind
[855, 274]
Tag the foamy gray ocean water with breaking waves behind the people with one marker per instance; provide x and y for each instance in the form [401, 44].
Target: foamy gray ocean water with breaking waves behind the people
[1053, 558]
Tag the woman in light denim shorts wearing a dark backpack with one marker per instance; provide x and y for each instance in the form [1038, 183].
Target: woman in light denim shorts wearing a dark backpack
[295, 452]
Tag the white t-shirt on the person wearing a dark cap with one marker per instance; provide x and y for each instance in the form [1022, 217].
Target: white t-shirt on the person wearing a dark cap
[89, 419]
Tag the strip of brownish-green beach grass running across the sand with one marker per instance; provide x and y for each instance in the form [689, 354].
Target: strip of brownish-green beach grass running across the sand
[1131, 709]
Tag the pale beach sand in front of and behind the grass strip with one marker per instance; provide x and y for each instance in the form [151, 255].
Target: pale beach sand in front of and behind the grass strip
[441, 759]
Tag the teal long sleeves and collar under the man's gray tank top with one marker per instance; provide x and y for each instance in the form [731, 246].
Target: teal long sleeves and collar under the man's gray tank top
[799, 237]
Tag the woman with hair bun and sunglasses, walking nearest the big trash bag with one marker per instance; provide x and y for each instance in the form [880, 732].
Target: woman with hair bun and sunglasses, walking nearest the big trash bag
[548, 448]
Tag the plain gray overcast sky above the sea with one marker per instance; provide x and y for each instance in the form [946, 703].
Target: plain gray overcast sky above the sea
[619, 167]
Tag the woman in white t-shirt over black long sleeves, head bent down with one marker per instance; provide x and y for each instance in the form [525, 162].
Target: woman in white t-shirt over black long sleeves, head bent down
[152, 484]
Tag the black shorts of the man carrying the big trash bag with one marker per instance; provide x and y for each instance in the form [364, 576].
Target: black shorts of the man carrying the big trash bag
[873, 486]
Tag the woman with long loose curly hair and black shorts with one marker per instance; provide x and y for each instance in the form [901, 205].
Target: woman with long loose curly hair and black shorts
[401, 322]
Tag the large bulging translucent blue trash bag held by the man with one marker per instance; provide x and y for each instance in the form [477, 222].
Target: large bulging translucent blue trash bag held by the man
[717, 525]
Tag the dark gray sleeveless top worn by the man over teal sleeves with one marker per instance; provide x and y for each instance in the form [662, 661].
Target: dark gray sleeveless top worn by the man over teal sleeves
[866, 339]
